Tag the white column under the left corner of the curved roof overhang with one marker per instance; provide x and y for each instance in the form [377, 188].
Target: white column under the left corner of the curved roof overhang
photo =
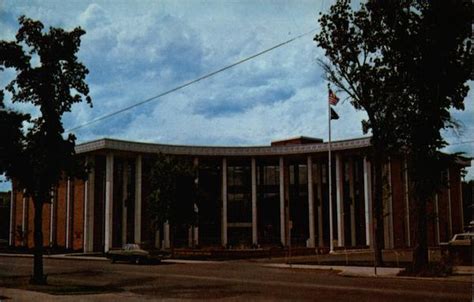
[89, 209]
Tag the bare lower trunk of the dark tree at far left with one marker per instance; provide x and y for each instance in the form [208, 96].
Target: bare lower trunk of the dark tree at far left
[38, 276]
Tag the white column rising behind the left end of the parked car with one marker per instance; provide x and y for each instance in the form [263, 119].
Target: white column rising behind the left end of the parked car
[109, 189]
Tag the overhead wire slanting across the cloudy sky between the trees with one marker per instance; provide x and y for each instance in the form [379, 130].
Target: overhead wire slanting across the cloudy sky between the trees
[106, 116]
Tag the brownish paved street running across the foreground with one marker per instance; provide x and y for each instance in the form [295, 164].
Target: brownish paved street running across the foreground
[232, 281]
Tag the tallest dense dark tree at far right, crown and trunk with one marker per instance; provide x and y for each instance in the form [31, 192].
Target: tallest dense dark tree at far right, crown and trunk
[434, 62]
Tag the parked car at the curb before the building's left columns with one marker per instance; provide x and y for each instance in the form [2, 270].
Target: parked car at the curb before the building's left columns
[134, 253]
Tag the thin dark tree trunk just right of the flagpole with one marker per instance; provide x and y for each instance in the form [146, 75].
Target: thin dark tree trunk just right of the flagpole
[377, 208]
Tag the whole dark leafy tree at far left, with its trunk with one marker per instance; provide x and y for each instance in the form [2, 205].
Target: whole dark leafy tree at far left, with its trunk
[49, 76]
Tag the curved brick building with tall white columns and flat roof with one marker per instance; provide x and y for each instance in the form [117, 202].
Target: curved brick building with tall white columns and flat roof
[257, 196]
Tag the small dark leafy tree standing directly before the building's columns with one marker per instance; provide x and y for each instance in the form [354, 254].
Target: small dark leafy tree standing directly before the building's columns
[173, 193]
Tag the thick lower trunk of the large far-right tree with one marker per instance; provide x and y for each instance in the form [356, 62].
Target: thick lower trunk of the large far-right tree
[420, 254]
